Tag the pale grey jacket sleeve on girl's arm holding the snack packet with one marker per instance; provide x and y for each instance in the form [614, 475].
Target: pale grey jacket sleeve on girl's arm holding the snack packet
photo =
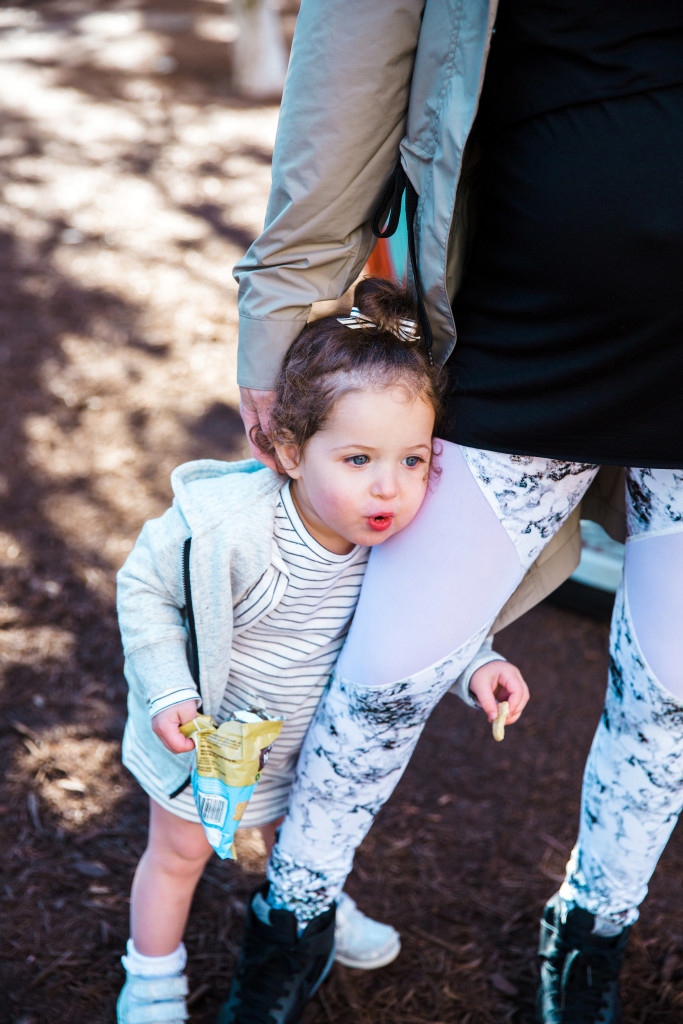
[151, 607]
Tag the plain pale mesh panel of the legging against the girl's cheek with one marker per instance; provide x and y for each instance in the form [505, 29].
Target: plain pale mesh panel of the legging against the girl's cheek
[428, 590]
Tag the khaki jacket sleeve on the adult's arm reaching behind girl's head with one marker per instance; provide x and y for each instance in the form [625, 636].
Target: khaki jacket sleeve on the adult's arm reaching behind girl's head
[341, 121]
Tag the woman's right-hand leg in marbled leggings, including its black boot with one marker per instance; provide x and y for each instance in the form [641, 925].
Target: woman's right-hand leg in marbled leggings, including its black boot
[633, 781]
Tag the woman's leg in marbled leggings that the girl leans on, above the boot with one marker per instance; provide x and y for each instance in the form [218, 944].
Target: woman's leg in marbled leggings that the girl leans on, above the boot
[429, 600]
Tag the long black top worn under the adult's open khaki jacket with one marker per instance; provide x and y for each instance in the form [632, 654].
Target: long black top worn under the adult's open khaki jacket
[570, 319]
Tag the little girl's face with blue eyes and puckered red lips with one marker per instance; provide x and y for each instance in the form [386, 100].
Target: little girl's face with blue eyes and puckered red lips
[364, 477]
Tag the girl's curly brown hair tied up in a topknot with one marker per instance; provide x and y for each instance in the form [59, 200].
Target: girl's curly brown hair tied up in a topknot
[329, 360]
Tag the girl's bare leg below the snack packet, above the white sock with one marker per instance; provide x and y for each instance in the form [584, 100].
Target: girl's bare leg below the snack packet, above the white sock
[165, 881]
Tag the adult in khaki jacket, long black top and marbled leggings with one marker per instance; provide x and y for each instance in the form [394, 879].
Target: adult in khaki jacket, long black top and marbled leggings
[564, 194]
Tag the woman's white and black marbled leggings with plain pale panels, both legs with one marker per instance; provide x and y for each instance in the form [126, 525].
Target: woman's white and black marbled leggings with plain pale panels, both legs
[430, 599]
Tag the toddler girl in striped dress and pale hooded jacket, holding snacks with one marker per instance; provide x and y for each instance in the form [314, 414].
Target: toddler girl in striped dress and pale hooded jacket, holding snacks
[242, 594]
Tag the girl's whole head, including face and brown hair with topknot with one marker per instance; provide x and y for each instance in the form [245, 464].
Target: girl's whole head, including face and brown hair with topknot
[354, 419]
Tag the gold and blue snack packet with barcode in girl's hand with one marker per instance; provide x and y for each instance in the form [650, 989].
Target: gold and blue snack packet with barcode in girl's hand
[230, 761]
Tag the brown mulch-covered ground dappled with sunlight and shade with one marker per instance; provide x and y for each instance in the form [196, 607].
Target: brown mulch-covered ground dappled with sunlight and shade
[133, 180]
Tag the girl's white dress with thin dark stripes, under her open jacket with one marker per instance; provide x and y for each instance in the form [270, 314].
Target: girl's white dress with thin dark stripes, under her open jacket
[283, 656]
